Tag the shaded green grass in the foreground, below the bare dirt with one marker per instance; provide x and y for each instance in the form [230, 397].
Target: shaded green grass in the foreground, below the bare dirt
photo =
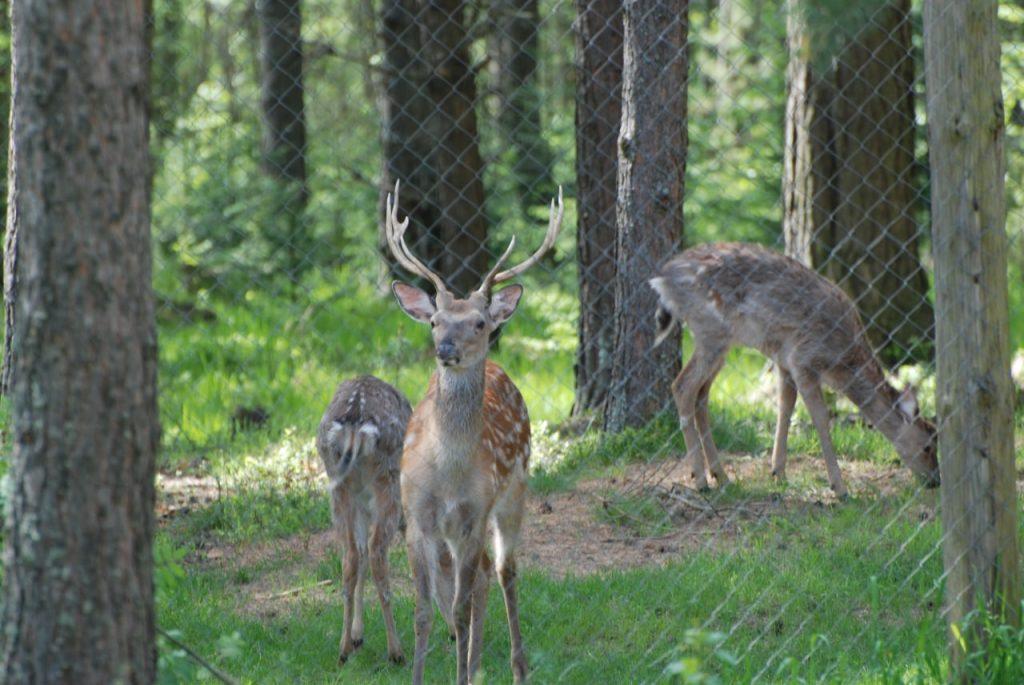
[808, 596]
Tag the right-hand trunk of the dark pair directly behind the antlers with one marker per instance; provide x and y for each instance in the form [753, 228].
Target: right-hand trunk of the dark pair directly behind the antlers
[456, 158]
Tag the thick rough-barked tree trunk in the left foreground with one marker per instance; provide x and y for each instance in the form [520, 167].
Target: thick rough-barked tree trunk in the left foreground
[78, 562]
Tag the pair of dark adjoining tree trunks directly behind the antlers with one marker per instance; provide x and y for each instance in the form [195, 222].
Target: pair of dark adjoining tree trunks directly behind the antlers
[432, 140]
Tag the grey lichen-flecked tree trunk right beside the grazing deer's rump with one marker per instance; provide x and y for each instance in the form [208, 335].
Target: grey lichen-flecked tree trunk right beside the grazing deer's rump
[652, 172]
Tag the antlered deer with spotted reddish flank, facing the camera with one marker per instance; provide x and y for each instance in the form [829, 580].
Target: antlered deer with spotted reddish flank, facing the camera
[465, 458]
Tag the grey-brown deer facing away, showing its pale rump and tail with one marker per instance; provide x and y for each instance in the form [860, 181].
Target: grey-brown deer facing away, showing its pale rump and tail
[360, 441]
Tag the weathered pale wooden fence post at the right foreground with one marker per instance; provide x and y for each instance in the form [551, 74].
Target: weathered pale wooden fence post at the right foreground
[974, 393]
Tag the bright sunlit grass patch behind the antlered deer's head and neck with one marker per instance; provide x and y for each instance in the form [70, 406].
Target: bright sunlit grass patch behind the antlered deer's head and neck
[270, 352]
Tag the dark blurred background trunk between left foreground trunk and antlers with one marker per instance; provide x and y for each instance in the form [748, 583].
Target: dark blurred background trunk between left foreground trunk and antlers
[282, 105]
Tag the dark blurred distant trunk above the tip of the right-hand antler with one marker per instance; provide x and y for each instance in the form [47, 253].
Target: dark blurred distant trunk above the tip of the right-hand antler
[518, 27]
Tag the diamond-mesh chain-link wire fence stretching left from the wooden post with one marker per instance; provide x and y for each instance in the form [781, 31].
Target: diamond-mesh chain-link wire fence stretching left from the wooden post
[281, 125]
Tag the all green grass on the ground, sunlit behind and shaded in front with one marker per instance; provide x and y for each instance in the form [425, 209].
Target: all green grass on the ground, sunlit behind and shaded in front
[844, 594]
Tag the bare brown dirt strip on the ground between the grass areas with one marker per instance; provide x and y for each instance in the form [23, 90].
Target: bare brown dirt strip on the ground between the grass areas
[585, 531]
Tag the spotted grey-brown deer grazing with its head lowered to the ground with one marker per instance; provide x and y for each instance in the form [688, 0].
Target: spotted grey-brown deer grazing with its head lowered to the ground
[735, 294]
